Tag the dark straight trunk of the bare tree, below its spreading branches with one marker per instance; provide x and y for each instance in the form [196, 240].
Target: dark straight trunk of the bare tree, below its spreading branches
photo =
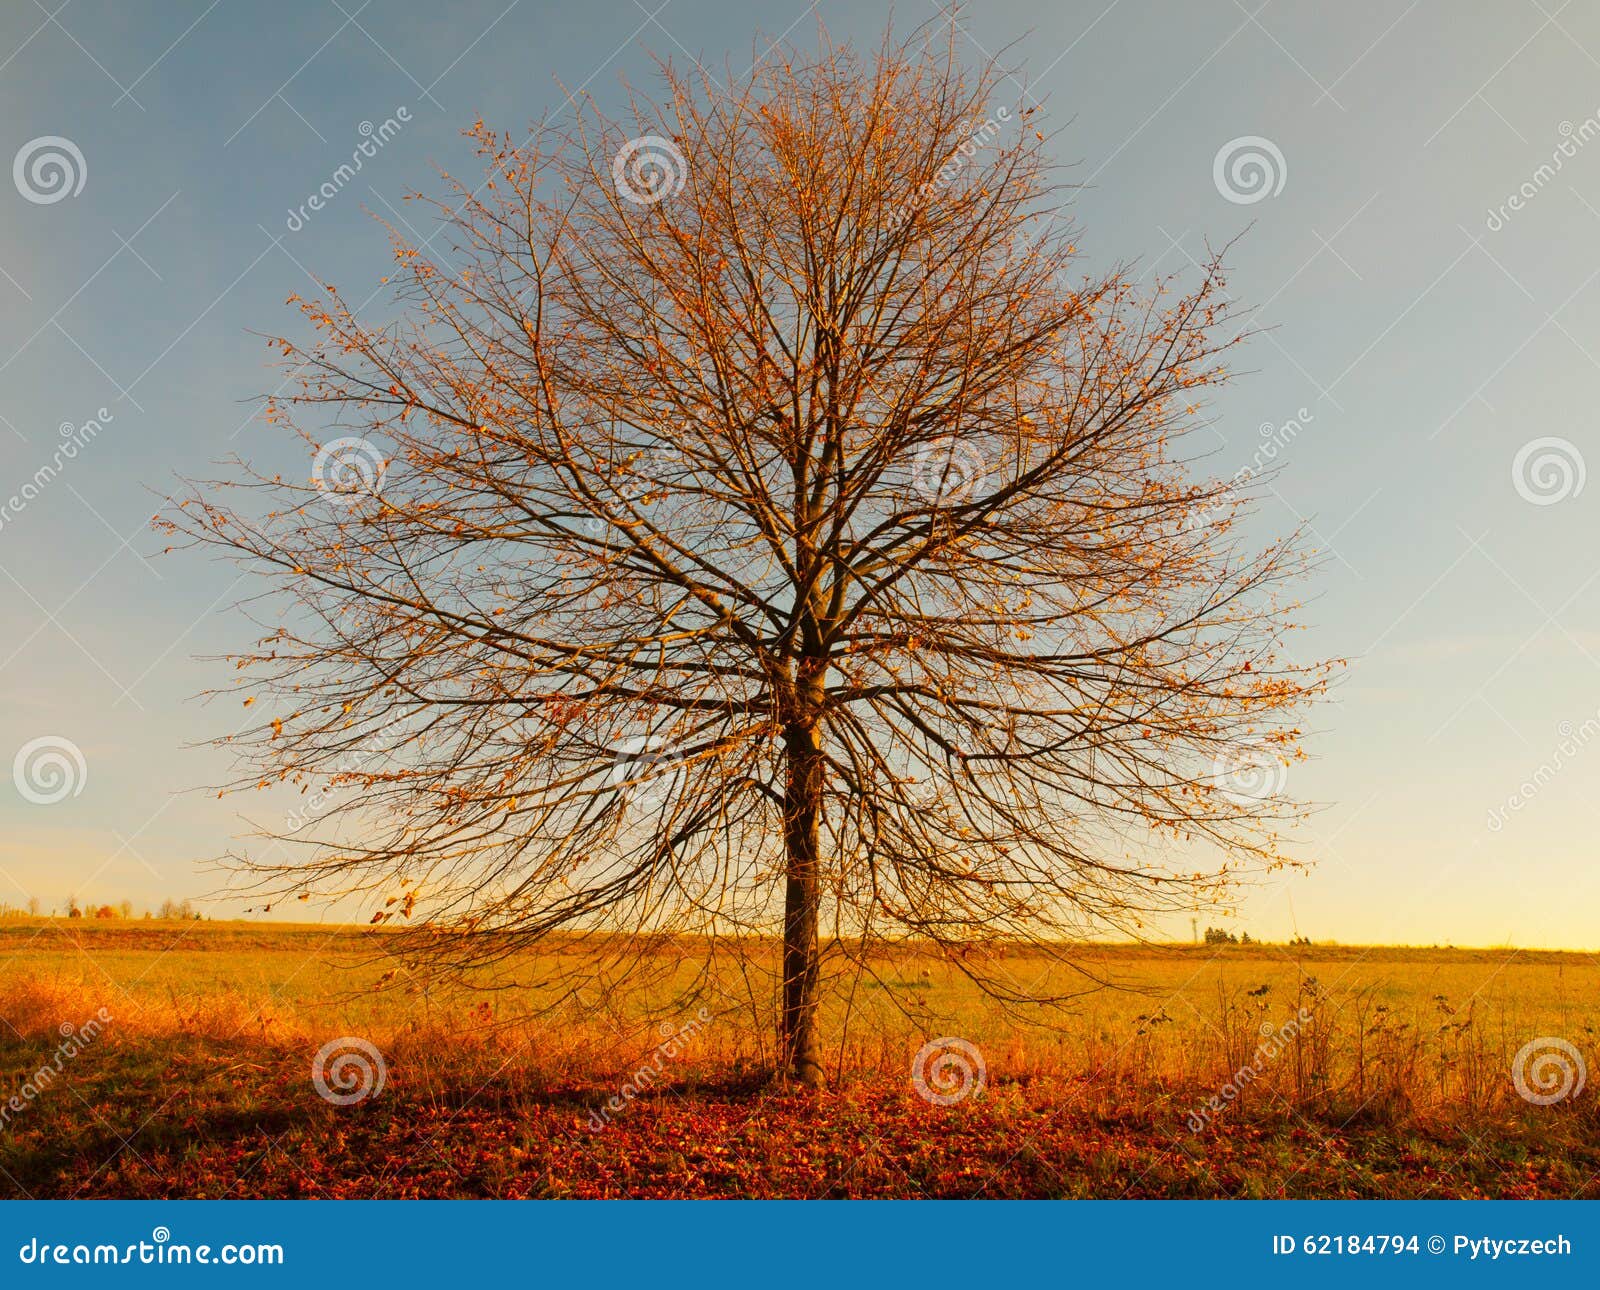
[802, 902]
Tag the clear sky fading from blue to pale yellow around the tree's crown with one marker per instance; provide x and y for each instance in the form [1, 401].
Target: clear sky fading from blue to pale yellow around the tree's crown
[1430, 327]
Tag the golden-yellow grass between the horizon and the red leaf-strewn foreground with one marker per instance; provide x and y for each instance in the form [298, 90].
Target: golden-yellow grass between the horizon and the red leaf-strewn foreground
[1385, 1032]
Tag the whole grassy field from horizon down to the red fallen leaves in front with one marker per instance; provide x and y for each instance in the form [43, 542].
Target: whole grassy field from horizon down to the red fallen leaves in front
[164, 1059]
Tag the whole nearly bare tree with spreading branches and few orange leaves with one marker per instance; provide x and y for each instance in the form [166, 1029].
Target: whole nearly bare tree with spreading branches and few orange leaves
[754, 523]
